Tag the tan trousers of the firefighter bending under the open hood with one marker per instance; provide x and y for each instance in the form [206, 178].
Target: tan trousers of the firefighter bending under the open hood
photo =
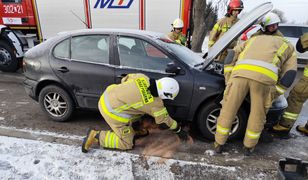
[236, 91]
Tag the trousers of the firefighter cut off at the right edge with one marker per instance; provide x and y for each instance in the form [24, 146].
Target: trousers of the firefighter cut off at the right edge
[296, 99]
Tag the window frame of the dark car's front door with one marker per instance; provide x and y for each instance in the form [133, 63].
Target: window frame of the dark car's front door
[117, 54]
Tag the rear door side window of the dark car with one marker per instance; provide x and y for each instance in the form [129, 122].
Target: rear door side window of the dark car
[90, 48]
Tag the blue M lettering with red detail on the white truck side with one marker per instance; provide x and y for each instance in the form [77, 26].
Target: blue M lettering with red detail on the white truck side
[125, 4]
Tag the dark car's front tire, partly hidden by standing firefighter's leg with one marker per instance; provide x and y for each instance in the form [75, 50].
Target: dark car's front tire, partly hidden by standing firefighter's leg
[207, 119]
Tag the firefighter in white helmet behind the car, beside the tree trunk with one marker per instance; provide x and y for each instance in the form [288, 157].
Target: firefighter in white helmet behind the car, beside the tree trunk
[176, 33]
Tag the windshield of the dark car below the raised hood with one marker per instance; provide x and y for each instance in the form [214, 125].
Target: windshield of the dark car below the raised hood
[183, 53]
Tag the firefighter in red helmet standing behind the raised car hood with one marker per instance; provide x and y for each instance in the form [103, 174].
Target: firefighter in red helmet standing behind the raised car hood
[223, 25]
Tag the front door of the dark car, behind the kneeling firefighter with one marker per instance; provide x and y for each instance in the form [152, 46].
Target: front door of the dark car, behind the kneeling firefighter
[136, 55]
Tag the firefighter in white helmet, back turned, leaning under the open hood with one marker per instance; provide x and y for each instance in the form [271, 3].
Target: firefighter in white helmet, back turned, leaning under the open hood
[261, 66]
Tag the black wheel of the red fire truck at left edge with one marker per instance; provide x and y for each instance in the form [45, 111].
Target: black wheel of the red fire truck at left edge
[8, 60]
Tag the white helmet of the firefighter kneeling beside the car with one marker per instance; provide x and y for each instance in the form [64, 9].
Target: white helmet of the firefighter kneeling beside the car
[167, 88]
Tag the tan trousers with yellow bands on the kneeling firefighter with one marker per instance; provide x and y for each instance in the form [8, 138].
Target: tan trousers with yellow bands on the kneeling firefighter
[121, 136]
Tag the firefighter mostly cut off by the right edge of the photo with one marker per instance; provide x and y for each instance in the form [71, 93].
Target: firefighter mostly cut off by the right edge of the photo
[296, 99]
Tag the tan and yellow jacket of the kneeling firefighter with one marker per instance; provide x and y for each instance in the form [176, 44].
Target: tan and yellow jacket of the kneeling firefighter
[131, 99]
